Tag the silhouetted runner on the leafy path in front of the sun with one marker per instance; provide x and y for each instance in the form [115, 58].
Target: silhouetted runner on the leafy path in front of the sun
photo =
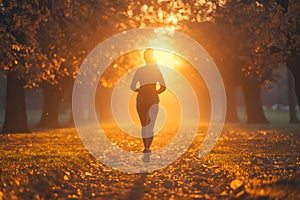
[144, 82]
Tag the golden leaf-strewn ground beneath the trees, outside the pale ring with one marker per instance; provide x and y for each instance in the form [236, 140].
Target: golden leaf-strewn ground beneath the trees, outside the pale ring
[247, 163]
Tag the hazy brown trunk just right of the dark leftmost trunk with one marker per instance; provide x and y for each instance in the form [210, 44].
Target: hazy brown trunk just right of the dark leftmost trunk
[52, 98]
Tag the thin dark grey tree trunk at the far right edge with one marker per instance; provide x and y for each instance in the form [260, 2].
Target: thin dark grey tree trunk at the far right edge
[292, 99]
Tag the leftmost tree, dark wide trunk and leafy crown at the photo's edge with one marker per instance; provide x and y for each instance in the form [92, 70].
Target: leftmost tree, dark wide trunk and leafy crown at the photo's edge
[18, 56]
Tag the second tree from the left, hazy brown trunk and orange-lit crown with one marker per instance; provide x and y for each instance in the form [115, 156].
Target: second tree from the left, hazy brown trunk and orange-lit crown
[72, 34]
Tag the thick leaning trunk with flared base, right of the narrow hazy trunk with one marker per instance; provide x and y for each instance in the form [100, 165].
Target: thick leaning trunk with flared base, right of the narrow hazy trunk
[252, 96]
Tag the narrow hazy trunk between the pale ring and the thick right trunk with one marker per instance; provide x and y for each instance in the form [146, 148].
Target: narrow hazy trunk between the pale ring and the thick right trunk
[231, 114]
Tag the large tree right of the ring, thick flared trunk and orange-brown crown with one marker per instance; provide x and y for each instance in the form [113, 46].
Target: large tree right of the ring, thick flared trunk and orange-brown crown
[262, 44]
